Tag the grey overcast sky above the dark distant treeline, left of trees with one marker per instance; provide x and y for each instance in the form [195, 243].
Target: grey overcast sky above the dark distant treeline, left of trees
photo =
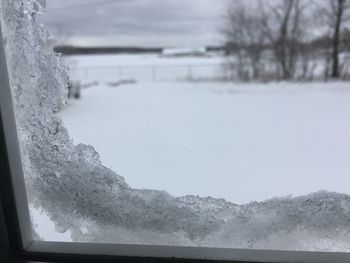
[179, 23]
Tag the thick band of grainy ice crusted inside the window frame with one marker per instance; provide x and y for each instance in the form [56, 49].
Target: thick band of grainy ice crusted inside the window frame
[96, 205]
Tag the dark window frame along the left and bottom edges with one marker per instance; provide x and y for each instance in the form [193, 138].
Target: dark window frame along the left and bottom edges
[18, 244]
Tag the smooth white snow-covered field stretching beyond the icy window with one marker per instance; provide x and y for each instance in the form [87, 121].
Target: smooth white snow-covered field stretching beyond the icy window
[241, 142]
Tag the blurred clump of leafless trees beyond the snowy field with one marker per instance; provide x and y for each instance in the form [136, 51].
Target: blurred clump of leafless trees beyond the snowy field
[282, 37]
